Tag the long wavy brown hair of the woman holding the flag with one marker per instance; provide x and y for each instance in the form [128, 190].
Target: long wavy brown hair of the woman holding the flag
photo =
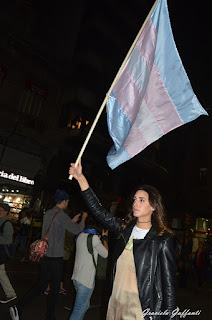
[158, 216]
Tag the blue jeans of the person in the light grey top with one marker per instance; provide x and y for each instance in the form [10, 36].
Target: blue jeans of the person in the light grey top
[82, 301]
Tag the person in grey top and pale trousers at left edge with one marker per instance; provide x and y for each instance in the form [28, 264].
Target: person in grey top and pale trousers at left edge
[6, 237]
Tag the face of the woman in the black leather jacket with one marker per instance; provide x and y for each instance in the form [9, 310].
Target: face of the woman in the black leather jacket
[141, 206]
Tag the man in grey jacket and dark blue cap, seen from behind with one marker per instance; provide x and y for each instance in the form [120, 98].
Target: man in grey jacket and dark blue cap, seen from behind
[52, 262]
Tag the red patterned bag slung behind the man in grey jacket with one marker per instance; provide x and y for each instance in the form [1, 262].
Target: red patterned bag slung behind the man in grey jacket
[39, 247]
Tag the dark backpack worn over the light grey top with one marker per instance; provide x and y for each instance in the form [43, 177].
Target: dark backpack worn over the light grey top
[101, 266]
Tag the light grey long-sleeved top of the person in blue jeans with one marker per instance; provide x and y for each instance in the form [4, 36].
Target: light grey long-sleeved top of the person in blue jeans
[84, 270]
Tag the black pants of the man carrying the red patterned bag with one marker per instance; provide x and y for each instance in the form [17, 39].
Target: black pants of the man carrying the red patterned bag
[51, 273]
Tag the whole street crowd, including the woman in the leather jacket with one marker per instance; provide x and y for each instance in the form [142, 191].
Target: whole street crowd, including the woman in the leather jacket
[145, 261]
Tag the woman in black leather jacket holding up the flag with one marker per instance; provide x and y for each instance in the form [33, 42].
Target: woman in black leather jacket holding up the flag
[143, 267]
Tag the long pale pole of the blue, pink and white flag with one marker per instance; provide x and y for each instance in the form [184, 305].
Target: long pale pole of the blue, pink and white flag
[111, 88]
